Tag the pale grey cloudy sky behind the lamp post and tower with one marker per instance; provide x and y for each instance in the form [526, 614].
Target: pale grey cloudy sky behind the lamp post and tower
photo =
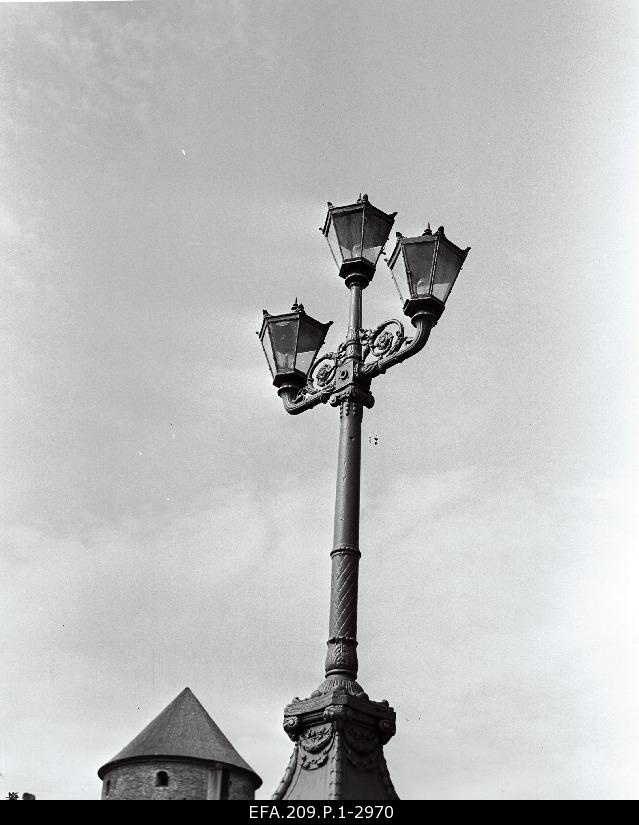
[165, 166]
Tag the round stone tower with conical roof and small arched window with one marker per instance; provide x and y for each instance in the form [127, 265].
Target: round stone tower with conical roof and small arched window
[181, 754]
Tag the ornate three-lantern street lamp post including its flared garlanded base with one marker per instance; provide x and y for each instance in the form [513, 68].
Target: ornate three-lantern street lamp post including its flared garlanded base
[338, 732]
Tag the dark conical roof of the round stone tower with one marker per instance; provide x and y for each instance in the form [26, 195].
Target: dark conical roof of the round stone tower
[185, 730]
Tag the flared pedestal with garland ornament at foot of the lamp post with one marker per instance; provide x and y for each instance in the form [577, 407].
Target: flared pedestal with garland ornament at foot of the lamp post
[339, 735]
